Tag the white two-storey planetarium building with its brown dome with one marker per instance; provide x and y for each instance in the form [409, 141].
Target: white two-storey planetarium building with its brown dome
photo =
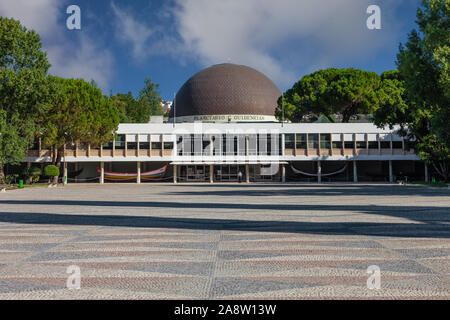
[222, 129]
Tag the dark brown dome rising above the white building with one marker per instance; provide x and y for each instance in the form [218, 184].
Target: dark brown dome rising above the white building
[227, 89]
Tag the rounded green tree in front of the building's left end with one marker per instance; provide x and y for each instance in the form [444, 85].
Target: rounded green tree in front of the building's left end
[76, 112]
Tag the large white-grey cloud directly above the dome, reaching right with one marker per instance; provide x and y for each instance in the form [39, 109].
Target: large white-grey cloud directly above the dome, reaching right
[278, 37]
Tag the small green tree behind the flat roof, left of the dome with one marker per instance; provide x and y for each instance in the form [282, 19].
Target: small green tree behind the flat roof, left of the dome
[130, 109]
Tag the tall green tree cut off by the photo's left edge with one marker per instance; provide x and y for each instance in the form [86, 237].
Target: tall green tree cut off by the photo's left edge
[23, 67]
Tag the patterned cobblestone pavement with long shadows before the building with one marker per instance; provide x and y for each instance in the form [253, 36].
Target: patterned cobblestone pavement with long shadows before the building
[229, 241]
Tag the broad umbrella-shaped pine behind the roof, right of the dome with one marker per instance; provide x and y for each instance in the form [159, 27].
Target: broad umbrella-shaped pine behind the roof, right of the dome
[330, 93]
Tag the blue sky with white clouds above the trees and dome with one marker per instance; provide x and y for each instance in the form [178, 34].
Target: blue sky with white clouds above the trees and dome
[123, 42]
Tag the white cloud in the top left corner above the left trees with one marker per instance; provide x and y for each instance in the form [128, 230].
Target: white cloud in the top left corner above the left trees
[78, 57]
